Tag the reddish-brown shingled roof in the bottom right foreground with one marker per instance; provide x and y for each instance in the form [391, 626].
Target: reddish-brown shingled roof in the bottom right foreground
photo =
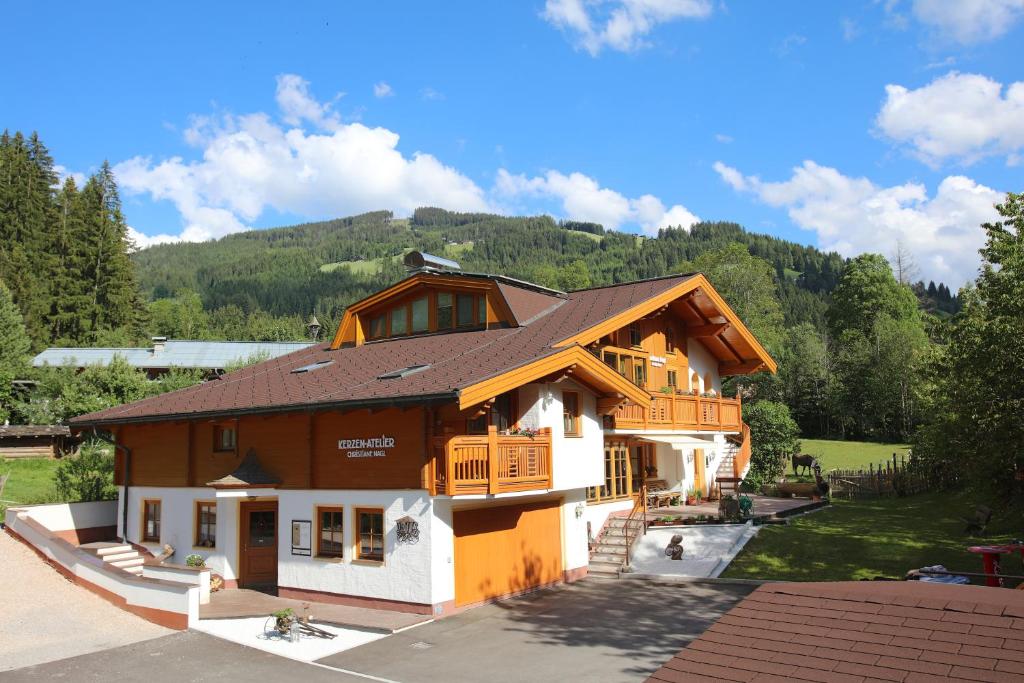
[855, 632]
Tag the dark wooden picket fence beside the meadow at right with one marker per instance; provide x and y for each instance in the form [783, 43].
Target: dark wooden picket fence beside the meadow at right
[900, 477]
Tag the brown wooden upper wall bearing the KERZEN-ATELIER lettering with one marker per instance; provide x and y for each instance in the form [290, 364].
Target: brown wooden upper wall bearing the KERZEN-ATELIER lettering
[300, 449]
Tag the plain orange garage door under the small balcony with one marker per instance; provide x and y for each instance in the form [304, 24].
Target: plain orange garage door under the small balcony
[506, 549]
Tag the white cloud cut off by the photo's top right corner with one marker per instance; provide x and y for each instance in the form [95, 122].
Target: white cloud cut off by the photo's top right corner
[969, 22]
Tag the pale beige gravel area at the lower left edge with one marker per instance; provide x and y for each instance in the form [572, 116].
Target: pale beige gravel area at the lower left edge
[48, 618]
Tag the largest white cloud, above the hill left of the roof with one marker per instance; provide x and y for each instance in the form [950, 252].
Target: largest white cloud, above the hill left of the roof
[250, 164]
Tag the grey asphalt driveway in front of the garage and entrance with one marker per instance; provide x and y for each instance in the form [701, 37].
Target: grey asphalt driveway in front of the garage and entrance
[593, 630]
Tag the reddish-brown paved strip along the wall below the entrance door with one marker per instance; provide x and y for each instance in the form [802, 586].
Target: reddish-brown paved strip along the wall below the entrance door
[238, 604]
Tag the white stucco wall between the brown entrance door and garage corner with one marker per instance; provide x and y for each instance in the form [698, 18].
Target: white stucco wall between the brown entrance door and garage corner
[406, 573]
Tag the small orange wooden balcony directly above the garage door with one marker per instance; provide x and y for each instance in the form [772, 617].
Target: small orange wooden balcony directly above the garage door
[491, 463]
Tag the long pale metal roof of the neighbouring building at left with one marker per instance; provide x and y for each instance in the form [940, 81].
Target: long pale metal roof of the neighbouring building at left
[212, 358]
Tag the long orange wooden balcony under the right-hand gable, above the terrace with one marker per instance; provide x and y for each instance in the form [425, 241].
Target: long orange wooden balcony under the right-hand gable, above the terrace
[680, 413]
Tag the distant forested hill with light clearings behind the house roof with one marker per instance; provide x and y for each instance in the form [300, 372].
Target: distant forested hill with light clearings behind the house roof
[324, 267]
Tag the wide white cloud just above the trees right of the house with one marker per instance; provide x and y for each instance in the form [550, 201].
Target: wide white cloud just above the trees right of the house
[854, 216]
